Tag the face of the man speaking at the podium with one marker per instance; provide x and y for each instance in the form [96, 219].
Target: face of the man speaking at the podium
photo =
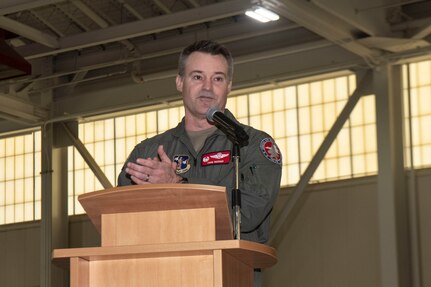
[205, 83]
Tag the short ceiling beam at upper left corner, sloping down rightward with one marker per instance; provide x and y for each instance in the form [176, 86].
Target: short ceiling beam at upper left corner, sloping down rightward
[28, 32]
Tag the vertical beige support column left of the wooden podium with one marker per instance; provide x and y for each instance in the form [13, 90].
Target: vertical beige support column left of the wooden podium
[54, 223]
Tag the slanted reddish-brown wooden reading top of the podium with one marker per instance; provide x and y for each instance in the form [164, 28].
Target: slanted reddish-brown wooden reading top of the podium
[160, 197]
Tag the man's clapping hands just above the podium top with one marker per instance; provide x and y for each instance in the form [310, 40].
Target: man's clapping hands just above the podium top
[155, 170]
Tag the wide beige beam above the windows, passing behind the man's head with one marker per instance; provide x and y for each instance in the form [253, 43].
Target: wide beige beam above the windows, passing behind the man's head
[102, 97]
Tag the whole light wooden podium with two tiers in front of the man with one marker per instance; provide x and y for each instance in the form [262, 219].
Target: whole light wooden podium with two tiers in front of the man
[163, 235]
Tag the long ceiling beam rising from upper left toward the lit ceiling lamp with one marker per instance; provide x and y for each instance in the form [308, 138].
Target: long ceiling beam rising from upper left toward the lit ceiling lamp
[150, 26]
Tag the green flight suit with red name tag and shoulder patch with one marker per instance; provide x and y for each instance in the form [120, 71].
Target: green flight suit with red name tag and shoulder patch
[260, 170]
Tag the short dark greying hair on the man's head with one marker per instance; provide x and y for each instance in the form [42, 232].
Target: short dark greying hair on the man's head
[205, 46]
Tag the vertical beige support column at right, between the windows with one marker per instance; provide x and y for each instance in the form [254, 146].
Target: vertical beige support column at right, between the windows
[391, 190]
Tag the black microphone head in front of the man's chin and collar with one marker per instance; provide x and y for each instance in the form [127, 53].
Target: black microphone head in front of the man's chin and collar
[234, 131]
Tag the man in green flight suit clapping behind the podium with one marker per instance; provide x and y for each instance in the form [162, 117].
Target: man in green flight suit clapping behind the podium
[197, 152]
